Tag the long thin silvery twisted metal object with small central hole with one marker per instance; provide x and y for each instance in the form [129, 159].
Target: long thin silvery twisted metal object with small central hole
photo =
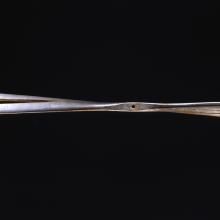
[18, 104]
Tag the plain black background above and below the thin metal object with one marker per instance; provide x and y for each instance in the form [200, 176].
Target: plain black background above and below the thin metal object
[152, 164]
